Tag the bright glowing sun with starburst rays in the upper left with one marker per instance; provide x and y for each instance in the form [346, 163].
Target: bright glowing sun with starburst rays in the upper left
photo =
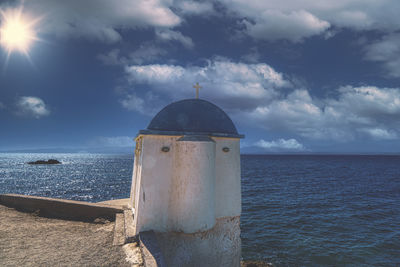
[17, 32]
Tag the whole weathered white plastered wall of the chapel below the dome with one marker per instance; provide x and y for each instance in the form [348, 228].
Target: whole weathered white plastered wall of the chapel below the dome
[187, 188]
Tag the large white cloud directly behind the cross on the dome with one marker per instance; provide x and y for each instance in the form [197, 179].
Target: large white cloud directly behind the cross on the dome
[231, 84]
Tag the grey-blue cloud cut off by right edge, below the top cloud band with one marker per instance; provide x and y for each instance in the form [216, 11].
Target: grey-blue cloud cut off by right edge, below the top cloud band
[387, 52]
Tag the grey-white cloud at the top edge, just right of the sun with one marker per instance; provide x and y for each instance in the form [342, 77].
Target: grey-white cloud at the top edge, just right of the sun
[101, 19]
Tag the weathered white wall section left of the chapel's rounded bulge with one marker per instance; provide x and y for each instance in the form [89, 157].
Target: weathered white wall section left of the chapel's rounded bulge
[153, 183]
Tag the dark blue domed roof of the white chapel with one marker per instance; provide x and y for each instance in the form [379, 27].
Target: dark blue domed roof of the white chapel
[192, 116]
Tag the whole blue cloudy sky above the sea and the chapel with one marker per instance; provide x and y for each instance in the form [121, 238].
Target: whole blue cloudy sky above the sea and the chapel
[295, 76]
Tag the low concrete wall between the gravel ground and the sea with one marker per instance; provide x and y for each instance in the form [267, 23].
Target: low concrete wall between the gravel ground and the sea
[60, 208]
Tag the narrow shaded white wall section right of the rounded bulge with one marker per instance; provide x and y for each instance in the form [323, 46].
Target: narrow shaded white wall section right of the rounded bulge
[228, 200]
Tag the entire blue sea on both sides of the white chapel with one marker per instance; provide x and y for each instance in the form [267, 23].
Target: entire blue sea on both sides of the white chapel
[297, 210]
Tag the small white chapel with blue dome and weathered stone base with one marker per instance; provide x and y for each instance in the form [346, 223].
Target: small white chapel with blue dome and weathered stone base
[186, 184]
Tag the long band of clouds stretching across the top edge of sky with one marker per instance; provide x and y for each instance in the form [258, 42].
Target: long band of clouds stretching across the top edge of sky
[271, 20]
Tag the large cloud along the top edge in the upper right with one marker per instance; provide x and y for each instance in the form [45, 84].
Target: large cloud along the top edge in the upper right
[296, 20]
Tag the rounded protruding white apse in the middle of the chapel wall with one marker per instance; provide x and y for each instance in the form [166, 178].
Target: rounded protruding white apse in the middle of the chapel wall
[192, 197]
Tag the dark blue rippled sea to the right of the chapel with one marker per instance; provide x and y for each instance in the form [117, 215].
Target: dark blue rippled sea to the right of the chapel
[321, 210]
